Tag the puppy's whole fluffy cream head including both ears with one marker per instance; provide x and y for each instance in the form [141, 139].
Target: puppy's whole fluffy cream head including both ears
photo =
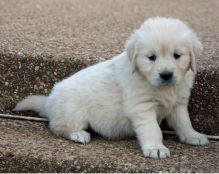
[163, 50]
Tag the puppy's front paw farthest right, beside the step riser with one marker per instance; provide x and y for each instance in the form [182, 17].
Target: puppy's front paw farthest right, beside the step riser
[195, 138]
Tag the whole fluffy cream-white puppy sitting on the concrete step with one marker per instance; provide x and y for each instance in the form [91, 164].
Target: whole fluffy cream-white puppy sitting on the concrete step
[131, 93]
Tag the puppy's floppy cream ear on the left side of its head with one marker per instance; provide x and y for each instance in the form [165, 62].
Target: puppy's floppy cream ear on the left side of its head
[130, 47]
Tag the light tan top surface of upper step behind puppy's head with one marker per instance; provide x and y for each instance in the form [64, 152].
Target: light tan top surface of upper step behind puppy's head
[96, 29]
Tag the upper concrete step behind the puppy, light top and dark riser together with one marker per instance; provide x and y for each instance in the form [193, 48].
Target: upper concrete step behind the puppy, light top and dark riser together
[43, 41]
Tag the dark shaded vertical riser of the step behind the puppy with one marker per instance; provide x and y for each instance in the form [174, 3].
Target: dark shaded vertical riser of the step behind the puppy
[22, 76]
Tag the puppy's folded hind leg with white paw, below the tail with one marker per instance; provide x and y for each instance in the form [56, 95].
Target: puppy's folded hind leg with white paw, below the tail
[68, 130]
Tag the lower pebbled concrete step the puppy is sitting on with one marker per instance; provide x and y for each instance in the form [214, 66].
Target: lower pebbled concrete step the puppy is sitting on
[30, 147]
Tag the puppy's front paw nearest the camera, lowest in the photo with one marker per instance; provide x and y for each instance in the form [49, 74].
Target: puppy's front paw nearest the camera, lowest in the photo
[157, 151]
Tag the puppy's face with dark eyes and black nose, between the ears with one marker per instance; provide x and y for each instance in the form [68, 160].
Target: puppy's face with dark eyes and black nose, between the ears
[163, 60]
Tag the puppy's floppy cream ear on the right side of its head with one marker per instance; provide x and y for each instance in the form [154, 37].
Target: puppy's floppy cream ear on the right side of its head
[195, 51]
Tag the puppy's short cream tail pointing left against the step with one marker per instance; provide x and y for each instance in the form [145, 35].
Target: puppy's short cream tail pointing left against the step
[35, 103]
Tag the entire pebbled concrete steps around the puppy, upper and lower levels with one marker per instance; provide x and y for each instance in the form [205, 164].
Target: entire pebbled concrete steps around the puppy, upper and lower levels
[43, 41]
